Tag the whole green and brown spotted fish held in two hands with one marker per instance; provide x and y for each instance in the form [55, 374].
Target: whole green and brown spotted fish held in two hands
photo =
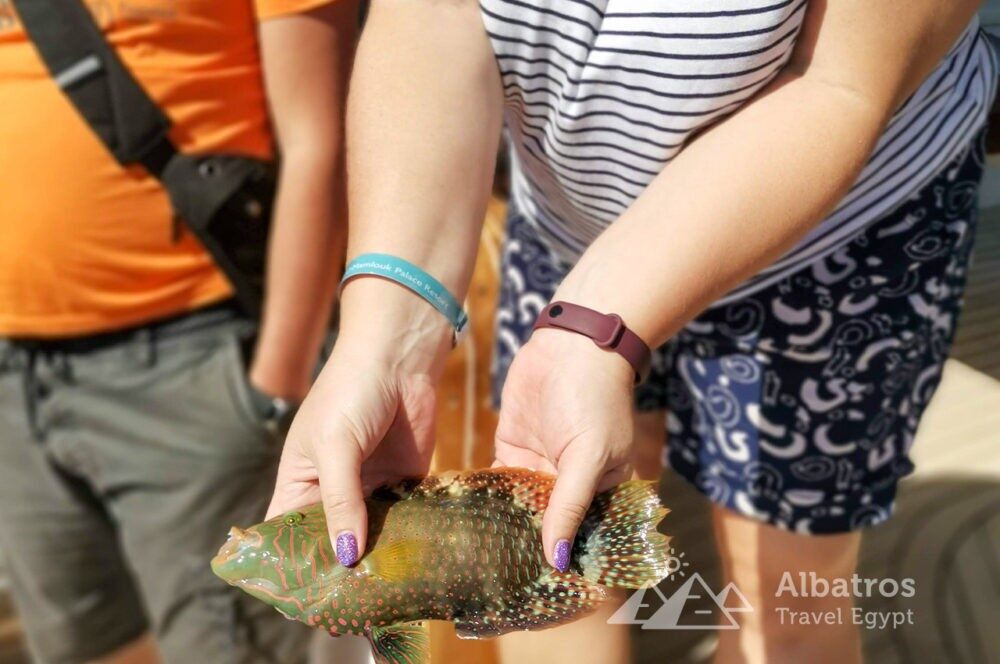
[463, 547]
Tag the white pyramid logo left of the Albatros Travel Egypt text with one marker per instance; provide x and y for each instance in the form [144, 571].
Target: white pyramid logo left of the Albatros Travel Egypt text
[693, 606]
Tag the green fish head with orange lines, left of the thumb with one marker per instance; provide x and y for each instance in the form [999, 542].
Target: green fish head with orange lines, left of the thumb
[278, 560]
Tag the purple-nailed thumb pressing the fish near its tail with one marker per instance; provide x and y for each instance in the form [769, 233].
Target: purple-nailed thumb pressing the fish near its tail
[574, 489]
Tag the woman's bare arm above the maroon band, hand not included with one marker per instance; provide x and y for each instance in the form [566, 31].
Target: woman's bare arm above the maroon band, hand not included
[746, 191]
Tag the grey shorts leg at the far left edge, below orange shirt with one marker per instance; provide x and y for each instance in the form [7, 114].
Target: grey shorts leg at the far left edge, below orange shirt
[71, 586]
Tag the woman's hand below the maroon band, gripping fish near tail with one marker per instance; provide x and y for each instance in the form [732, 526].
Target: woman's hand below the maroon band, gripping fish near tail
[567, 409]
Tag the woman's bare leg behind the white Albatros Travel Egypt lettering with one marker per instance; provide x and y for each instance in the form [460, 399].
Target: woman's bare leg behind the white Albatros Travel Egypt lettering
[756, 557]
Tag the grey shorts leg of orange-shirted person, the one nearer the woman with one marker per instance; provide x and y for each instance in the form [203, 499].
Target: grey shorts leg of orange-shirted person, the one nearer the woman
[181, 454]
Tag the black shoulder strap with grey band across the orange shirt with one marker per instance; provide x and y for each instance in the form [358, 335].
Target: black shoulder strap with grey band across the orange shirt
[89, 72]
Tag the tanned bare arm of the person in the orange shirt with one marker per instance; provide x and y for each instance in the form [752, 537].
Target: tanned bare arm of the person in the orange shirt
[306, 59]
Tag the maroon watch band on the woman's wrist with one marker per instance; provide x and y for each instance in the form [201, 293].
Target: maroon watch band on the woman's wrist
[608, 331]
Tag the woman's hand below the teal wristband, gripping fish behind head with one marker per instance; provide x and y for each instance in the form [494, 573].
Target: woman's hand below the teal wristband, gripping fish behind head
[369, 419]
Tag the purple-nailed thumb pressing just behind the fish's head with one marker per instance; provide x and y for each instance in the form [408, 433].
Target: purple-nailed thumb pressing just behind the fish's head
[344, 503]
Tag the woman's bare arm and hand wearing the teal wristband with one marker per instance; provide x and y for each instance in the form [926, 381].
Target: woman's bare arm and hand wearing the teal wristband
[424, 124]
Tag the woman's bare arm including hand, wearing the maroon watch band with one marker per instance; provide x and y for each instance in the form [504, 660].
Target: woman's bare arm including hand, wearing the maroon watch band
[731, 203]
